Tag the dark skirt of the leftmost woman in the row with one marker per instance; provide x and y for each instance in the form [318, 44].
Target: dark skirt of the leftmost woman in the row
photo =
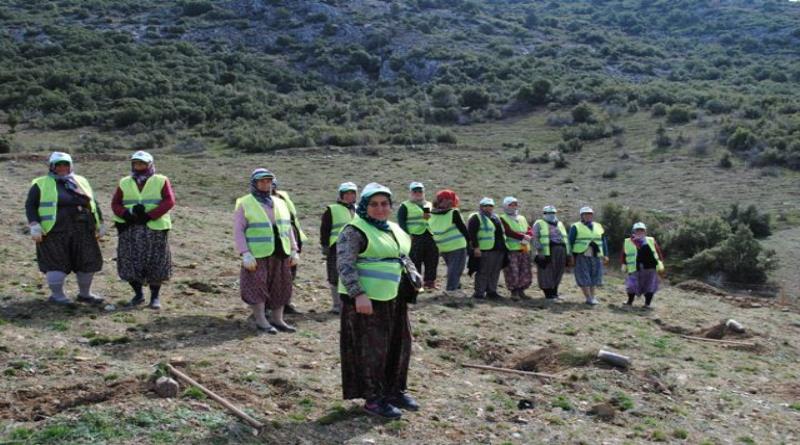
[70, 246]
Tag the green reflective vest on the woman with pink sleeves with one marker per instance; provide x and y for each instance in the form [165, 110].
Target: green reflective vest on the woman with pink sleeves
[259, 233]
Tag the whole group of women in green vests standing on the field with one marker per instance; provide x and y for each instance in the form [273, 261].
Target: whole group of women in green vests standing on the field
[372, 262]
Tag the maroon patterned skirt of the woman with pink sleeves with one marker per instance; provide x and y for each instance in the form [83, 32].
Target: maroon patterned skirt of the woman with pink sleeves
[270, 283]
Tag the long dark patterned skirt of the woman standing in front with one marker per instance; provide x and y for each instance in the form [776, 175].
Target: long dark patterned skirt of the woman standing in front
[375, 349]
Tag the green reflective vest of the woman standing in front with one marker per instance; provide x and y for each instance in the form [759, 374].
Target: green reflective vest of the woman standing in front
[379, 267]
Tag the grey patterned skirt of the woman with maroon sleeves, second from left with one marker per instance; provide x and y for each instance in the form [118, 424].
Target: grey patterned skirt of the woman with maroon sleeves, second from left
[143, 254]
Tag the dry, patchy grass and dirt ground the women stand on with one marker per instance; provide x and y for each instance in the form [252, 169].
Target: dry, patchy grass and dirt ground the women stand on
[82, 375]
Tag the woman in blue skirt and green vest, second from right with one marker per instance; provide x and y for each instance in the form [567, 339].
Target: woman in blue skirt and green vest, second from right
[589, 248]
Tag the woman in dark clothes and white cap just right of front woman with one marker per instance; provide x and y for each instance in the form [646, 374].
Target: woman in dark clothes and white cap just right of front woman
[413, 217]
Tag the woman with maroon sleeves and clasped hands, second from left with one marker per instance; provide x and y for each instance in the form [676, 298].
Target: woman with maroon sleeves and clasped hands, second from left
[141, 206]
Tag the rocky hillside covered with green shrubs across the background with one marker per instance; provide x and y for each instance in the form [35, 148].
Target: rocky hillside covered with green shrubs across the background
[261, 75]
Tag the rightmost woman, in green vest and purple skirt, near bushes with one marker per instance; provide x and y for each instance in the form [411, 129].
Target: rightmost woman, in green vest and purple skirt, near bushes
[643, 261]
